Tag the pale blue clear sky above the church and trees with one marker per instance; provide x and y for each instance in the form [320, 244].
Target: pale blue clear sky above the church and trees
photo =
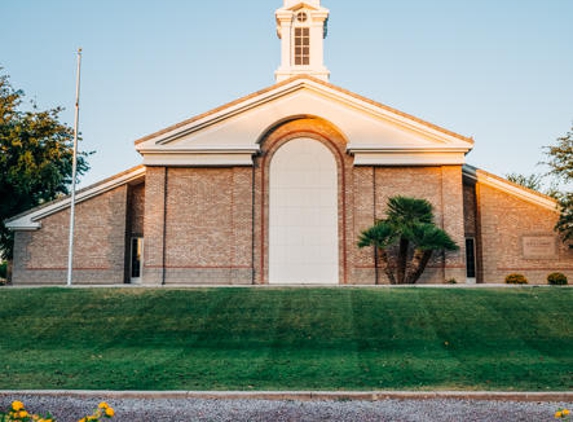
[498, 70]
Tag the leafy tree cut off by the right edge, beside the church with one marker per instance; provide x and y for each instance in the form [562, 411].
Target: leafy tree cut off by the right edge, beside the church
[561, 166]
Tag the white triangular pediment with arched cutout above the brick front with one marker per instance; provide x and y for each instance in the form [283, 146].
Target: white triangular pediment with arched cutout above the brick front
[376, 134]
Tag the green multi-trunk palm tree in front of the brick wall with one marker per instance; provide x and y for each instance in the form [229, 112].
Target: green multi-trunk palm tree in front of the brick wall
[406, 239]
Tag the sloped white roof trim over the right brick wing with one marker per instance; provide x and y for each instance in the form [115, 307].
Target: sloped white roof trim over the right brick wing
[514, 189]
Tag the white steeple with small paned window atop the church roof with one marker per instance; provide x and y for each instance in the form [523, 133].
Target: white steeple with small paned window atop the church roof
[302, 27]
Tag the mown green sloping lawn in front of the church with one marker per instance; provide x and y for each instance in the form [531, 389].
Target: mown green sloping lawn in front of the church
[282, 339]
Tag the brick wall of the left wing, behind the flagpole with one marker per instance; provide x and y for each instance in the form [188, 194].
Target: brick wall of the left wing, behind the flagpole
[41, 256]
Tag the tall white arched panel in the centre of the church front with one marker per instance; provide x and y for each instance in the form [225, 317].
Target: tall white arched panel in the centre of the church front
[303, 214]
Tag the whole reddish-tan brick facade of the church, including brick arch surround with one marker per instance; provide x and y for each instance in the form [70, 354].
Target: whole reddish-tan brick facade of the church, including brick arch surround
[209, 224]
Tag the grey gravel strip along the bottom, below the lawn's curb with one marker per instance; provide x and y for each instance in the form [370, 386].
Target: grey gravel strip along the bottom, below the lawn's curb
[71, 409]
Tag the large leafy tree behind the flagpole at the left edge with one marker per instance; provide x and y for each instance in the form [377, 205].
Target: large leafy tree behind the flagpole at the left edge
[36, 153]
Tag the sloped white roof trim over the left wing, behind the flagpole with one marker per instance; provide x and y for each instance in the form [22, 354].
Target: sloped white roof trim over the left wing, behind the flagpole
[29, 220]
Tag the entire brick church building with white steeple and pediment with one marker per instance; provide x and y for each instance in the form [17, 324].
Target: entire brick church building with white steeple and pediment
[275, 187]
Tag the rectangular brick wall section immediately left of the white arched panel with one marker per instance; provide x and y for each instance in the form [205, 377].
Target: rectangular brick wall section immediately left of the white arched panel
[209, 226]
